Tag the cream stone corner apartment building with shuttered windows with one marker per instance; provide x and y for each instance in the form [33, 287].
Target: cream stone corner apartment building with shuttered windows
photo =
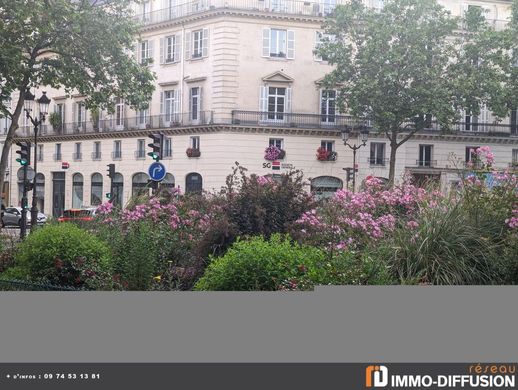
[234, 77]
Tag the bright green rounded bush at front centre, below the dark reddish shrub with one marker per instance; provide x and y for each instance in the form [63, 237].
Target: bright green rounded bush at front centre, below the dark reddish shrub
[258, 265]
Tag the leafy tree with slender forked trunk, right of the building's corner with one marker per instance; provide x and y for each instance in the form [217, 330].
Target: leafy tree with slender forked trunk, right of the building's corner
[407, 63]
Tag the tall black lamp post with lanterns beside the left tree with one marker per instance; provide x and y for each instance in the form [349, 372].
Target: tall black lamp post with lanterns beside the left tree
[43, 103]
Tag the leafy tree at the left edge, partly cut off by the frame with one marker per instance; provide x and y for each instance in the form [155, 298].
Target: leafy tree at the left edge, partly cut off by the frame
[82, 46]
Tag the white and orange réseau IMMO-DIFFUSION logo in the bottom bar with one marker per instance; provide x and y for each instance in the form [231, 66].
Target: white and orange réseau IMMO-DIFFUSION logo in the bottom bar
[499, 376]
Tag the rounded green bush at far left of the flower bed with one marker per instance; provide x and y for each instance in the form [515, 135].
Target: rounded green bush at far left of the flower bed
[64, 254]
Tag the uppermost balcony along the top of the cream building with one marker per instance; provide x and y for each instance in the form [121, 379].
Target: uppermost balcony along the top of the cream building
[288, 7]
